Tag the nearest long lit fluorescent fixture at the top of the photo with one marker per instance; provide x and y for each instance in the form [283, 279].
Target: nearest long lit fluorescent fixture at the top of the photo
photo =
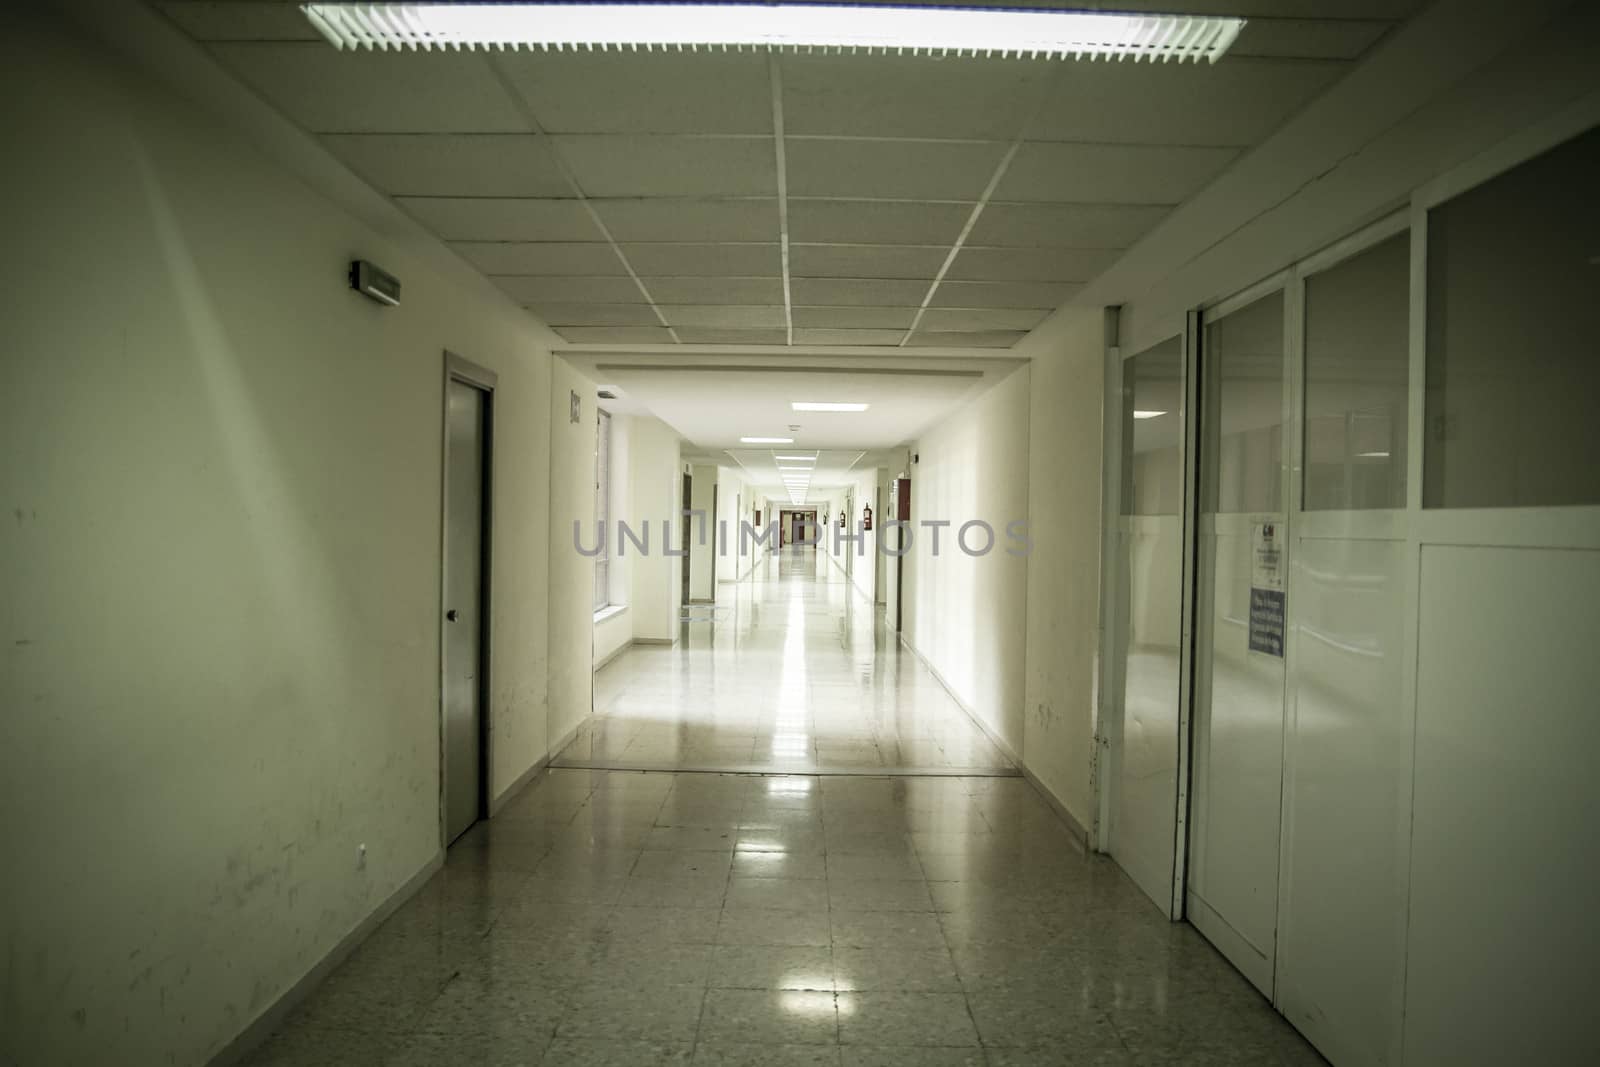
[777, 28]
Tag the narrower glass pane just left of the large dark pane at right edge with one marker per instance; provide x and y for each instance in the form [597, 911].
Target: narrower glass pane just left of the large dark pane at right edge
[1358, 380]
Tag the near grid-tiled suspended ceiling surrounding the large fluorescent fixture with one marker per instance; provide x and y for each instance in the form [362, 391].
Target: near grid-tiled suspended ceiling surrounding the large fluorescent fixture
[646, 199]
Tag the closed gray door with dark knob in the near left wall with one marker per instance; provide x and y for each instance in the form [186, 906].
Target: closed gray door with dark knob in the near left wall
[465, 481]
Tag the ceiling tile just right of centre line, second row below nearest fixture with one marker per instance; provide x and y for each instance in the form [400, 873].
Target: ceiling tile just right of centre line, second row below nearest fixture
[892, 170]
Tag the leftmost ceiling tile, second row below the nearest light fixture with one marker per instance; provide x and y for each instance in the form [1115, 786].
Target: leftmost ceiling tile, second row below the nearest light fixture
[452, 164]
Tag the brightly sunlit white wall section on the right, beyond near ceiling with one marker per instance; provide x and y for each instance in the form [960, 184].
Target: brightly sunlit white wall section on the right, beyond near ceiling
[969, 615]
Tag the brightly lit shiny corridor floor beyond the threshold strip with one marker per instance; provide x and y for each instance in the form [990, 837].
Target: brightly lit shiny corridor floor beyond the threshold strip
[790, 673]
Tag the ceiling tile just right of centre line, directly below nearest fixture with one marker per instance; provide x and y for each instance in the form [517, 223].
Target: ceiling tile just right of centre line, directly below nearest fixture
[911, 97]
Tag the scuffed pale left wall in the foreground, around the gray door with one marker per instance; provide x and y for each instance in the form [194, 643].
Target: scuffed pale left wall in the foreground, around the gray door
[222, 562]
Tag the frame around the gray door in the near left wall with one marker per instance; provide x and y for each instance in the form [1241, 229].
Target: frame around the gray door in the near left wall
[486, 382]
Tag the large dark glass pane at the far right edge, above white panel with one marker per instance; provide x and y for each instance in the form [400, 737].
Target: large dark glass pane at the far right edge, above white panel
[1513, 281]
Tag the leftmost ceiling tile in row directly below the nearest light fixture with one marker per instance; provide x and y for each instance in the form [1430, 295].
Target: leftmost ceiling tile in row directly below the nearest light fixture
[375, 92]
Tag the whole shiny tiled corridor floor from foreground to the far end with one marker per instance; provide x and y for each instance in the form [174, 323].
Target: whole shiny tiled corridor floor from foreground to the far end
[636, 919]
